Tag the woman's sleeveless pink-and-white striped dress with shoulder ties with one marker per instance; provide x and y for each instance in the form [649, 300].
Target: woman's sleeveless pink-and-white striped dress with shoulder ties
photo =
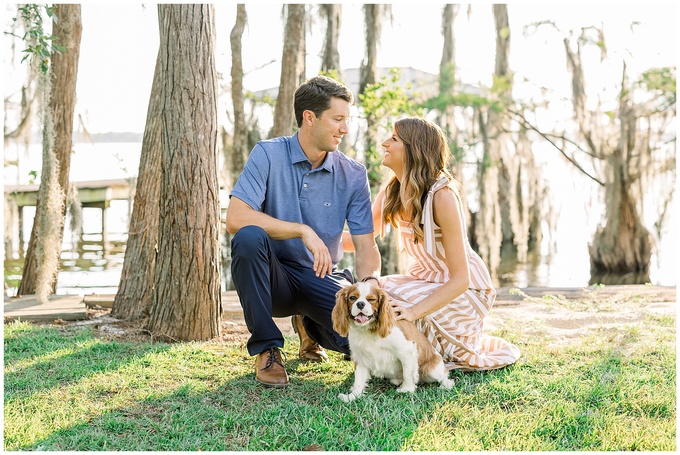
[455, 330]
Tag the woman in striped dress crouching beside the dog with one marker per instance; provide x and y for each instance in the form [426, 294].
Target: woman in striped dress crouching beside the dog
[448, 290]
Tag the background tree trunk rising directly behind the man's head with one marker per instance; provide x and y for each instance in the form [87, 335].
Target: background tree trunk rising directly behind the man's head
[292, 69]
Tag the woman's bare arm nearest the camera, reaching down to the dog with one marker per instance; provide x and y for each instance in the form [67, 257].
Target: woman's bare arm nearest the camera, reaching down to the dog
[447, 216]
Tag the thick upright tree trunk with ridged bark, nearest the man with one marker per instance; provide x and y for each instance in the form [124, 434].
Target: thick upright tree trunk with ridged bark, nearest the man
[187, 302]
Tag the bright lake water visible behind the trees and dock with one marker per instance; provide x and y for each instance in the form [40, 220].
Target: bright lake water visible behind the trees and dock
[91, 266]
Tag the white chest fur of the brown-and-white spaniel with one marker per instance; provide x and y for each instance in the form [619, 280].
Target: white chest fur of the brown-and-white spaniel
[381, 356]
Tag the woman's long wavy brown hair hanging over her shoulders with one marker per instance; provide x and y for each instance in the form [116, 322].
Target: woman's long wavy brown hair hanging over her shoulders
[425, 161]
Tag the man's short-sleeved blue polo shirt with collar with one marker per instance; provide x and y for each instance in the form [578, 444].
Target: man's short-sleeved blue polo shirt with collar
[278, 180]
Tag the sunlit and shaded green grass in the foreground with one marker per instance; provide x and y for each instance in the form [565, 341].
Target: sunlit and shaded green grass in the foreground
[66, 389]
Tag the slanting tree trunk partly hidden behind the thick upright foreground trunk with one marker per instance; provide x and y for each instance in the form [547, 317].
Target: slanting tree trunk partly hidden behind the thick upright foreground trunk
[135, 291]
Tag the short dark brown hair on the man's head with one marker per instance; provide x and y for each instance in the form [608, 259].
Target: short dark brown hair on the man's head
[315, 95]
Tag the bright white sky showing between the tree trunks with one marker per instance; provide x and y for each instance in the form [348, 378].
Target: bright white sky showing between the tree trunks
[120, 43]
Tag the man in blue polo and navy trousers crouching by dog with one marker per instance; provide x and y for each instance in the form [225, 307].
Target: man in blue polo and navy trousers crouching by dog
[288, 210]
